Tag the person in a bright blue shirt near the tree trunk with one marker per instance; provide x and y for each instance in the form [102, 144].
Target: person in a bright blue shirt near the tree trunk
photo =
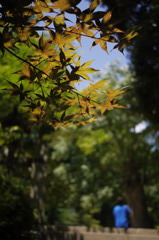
[121, 213]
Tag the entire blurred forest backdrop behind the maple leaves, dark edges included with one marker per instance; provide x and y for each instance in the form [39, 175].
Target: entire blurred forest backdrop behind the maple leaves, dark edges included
[73, 176]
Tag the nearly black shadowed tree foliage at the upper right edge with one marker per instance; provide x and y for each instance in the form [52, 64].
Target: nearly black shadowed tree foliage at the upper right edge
[145, 51]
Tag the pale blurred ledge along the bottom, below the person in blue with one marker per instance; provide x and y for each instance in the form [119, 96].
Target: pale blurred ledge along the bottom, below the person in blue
[84, 233]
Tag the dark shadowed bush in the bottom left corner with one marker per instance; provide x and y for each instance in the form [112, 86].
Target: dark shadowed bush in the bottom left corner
[16, 218]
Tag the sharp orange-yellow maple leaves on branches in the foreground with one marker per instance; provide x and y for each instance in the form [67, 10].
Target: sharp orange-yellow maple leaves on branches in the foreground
[46, 85]
